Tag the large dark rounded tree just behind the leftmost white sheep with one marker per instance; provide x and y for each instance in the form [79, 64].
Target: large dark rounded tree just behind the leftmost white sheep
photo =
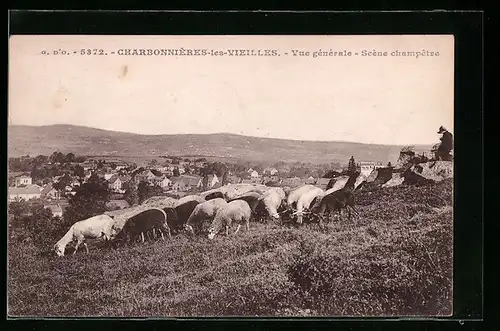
[90, 200]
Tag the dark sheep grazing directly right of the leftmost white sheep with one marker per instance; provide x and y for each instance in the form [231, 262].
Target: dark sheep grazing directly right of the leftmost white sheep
[143, 222]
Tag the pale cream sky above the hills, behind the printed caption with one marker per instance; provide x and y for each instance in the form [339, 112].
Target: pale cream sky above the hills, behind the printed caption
[368, 99]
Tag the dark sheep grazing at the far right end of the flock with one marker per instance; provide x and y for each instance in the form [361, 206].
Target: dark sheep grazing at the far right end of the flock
[335, 202]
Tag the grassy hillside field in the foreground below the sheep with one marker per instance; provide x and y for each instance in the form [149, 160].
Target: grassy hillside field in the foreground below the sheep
[395, 259]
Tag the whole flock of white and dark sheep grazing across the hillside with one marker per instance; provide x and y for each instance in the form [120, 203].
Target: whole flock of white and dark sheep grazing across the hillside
[233, 204]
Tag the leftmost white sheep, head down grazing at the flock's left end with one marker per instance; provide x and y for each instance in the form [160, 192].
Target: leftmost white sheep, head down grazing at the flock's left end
[100, 226]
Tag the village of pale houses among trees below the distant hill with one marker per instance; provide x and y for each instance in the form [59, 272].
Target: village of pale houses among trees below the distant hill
[55, 179]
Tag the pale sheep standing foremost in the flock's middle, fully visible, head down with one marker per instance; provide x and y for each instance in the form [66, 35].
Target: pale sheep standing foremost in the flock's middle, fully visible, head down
[237, 211]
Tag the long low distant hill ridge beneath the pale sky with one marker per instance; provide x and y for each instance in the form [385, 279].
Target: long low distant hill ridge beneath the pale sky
[34, 140]
